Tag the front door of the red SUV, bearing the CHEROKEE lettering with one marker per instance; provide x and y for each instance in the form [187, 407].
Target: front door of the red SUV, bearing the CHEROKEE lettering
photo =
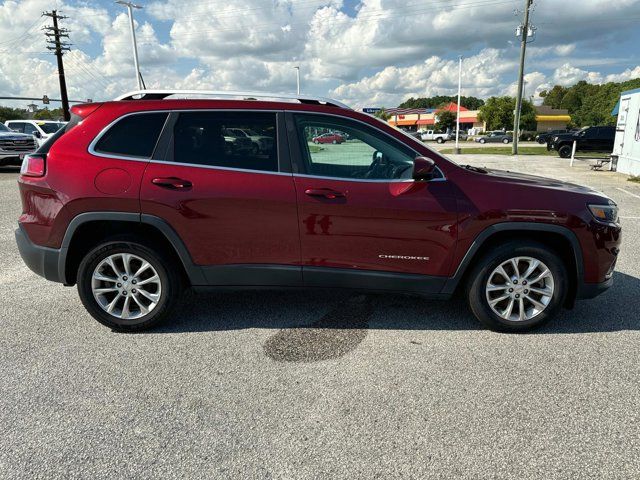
[361, 216]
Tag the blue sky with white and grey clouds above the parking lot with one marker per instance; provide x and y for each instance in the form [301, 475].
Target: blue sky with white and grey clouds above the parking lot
[369, 53]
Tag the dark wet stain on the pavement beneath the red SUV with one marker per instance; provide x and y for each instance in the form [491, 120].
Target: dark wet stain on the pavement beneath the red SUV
[334, 335]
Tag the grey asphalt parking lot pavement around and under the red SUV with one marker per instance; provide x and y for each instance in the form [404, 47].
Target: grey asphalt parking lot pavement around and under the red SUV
[288, 385]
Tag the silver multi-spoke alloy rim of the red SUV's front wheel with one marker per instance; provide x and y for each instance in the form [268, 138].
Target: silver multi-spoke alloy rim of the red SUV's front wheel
[520, 288]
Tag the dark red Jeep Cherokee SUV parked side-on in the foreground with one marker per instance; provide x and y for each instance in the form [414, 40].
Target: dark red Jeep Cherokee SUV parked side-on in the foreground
[141, 197]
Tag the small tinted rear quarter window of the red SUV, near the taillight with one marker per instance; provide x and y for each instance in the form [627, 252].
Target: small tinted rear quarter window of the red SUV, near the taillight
[135, 135]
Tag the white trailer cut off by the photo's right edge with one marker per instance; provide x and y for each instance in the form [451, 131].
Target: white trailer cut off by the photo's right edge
[626, 148]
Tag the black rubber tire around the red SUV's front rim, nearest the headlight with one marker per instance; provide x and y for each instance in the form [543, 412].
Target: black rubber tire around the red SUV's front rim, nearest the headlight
[479, 276]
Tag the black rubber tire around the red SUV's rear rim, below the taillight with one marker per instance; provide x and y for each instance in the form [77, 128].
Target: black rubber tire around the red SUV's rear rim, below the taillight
[167, 271]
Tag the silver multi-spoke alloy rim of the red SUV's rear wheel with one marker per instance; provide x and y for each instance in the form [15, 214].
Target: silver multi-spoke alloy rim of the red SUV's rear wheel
[126, 286]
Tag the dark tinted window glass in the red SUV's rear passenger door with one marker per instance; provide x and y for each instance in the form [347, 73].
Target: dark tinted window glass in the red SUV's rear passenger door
[219, 139]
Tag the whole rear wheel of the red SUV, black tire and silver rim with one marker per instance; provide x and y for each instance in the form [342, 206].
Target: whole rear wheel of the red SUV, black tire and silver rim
[127, 286]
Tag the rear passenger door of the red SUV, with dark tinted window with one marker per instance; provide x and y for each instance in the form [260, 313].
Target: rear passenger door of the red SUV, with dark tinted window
[235, 209]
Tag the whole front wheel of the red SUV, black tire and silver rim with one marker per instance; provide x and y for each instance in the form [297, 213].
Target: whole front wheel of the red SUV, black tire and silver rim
[518, 286]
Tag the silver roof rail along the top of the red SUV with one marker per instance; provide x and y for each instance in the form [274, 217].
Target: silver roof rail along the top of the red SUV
[162, 94]
